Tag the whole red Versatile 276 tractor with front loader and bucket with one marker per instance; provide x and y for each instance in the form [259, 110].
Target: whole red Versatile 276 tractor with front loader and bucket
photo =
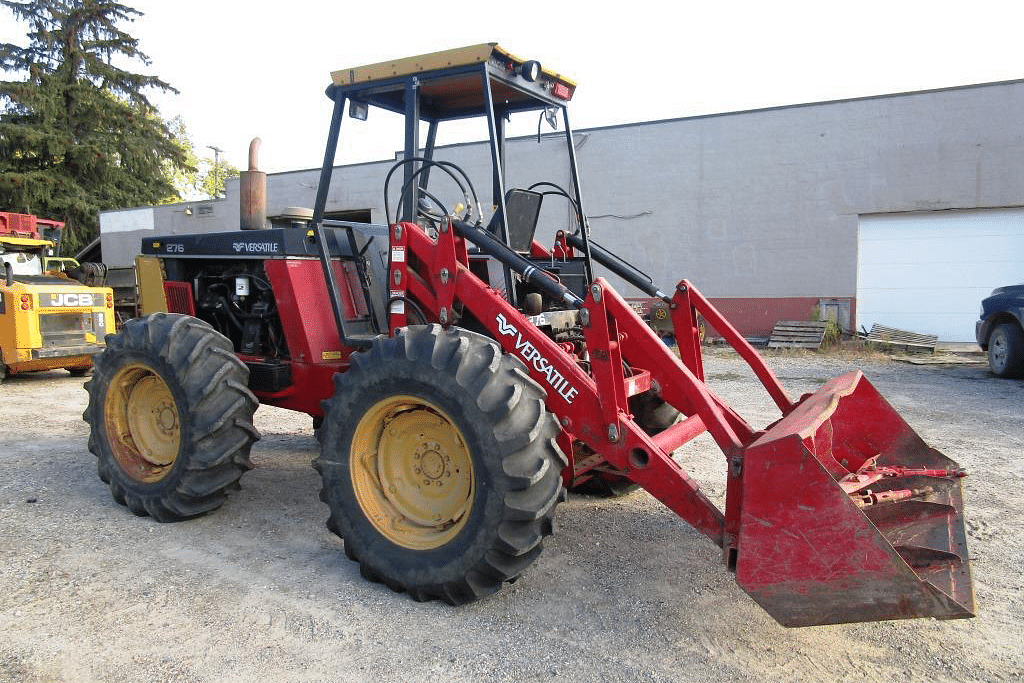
[463, 375]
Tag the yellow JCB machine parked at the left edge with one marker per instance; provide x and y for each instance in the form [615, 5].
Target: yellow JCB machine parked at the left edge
[48, 320]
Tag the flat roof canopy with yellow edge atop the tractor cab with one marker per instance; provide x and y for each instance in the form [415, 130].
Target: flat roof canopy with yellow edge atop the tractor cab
[450, 83]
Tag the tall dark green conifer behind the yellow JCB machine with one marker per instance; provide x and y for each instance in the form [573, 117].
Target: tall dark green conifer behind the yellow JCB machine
[78, 134]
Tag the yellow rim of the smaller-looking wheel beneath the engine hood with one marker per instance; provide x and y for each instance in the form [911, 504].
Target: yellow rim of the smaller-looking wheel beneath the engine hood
[142, 421]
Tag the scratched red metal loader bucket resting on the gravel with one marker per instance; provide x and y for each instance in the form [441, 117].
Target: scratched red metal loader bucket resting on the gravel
[847, 516]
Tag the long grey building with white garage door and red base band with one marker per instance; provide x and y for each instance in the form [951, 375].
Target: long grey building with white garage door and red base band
[905, 210]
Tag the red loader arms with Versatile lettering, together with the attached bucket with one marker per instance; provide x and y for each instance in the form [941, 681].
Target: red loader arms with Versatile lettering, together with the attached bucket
[805, 540]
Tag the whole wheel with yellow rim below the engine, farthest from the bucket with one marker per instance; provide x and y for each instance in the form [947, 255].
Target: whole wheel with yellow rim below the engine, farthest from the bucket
[172, 417]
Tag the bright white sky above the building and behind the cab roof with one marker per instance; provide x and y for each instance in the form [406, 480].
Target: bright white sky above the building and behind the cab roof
[247, 69]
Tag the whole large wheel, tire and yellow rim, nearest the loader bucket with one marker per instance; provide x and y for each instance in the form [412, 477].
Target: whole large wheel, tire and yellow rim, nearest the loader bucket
[440, 464]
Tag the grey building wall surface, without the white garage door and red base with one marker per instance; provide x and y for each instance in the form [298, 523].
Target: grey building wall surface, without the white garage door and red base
[749, 206]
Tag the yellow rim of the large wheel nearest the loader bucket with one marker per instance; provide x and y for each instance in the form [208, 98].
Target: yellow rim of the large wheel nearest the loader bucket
[412, 473]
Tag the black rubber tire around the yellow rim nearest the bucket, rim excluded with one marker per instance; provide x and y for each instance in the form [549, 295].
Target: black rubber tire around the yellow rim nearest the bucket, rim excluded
[529, 461]
